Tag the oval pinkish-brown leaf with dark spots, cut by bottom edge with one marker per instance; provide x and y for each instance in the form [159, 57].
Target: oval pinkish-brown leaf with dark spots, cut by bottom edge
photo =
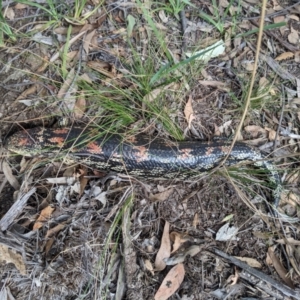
[170, 283]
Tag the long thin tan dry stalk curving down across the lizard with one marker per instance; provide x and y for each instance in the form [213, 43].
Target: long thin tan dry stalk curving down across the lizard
[258, 46]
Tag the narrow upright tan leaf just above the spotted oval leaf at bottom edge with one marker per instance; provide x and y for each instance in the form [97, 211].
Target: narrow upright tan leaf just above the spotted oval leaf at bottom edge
[164, 250]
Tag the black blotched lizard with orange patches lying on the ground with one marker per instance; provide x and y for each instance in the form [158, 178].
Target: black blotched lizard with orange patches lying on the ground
[140, 156]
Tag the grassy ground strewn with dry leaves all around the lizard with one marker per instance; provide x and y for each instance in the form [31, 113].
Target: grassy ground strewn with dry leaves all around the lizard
[69, 232]
